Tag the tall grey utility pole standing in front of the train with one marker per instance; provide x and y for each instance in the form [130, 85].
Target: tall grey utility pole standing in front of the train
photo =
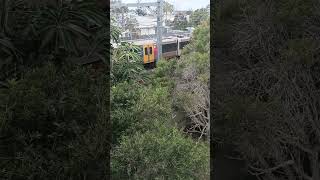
[159, 27]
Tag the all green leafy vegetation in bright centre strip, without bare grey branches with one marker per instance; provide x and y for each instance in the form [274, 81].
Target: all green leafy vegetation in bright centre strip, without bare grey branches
[148, 142]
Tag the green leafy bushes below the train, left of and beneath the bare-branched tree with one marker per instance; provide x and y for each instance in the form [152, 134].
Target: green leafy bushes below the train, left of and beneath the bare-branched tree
[147, 145]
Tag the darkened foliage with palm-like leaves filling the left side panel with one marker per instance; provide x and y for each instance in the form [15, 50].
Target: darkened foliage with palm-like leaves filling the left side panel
[53, 113]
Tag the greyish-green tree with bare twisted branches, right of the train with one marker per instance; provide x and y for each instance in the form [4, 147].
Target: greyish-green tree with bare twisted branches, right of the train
[192, 86]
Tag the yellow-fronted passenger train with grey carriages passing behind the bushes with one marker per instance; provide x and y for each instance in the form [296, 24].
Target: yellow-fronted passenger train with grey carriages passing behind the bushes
[171, 48]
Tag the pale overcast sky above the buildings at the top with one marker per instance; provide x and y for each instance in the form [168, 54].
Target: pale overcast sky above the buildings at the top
[180, 4]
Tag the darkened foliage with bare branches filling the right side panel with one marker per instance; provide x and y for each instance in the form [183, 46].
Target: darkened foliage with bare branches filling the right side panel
[267, 85]
